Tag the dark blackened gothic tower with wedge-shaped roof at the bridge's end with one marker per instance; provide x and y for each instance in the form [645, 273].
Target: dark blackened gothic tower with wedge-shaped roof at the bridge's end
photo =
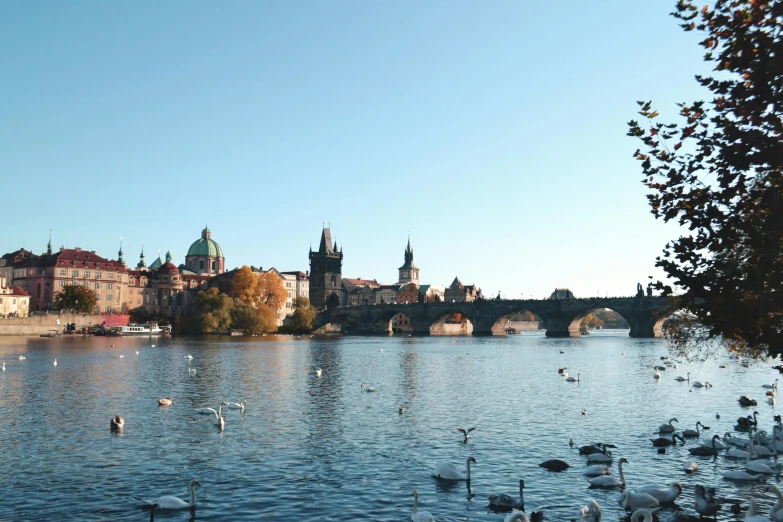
[326, 266]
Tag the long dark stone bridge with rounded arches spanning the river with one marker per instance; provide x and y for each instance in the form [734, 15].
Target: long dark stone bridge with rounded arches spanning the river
[562, 317]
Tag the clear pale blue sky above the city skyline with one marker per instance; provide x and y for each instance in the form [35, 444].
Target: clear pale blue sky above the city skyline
[493, 131]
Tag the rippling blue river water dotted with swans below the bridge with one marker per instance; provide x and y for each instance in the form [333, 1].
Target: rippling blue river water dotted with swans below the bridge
[318, 448]
